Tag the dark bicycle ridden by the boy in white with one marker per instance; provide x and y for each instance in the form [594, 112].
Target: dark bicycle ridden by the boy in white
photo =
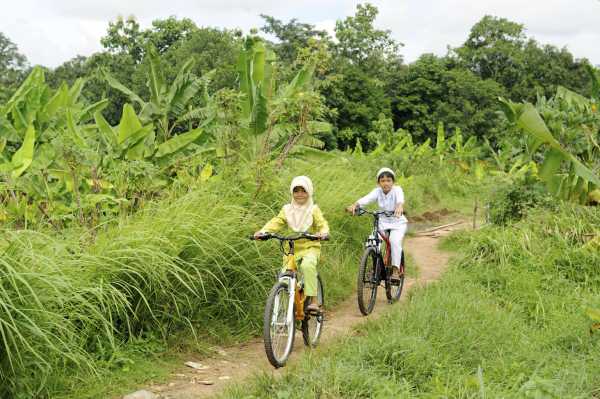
[375, 267]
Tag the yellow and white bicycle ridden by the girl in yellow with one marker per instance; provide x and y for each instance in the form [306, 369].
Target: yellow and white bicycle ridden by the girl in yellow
[285, 306]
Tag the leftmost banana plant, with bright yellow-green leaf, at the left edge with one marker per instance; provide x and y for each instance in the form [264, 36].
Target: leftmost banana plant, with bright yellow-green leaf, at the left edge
[31, 122]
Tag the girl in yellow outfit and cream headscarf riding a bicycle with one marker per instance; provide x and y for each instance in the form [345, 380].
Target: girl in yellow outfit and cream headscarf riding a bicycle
[302, 215]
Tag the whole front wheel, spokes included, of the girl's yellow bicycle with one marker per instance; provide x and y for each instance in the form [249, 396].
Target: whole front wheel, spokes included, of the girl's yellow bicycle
[278, 331]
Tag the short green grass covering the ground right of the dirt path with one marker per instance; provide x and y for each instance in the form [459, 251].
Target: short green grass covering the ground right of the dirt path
[508, 320]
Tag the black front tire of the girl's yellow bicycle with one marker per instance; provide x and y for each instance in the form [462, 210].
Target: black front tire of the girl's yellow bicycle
[277, 359]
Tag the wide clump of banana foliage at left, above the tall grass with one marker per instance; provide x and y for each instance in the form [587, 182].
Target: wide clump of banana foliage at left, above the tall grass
[58, 166]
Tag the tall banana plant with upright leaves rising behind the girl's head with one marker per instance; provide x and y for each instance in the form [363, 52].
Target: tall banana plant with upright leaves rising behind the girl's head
[278, 119]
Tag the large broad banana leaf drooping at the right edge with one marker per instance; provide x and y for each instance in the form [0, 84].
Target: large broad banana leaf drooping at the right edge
[565, 175]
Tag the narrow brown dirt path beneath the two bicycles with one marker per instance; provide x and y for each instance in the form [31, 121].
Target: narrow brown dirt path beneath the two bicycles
[235, 363]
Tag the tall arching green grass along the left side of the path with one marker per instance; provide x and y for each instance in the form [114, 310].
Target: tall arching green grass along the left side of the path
[182, 266]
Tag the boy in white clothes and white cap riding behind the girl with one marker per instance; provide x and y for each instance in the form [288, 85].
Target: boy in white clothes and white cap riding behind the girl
[390, 198]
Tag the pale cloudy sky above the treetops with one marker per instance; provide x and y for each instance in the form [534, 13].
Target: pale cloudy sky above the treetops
[51, 32]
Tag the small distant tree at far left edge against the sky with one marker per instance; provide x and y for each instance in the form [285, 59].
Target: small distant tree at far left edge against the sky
[12, 67]
